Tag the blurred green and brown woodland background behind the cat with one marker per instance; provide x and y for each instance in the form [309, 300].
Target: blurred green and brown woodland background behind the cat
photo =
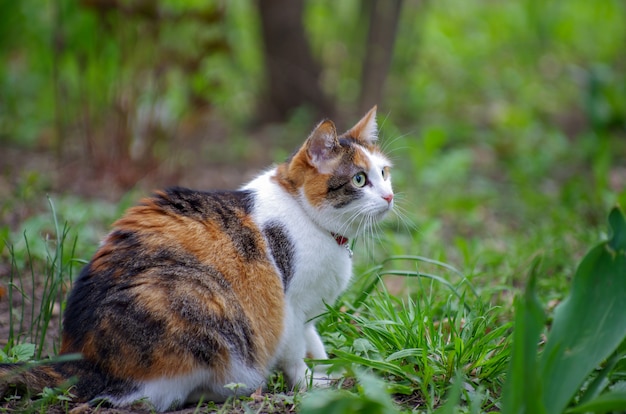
[506, 119]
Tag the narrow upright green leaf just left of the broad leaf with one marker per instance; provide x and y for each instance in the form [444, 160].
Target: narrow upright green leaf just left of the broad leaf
[522, 391]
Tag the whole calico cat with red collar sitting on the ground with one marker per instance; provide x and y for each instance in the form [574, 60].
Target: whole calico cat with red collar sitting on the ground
[193, 290]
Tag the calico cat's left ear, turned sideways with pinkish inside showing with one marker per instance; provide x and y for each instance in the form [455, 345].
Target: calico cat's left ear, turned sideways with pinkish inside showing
[322, 146]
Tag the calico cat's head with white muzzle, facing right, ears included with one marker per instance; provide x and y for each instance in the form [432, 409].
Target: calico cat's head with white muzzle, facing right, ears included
[343, 181]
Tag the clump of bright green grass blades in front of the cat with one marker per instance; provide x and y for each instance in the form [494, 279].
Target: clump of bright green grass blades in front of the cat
[420, 344]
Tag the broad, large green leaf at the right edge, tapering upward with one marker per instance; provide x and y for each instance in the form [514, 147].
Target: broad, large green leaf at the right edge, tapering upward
[591, 323]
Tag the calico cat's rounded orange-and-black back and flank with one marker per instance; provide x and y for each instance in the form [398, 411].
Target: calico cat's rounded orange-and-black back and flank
[182, 285]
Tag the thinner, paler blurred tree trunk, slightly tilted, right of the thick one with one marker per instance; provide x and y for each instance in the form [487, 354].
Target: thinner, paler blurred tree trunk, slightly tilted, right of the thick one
[383, 24]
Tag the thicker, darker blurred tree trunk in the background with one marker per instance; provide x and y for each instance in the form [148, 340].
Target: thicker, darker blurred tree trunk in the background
[293, 76]
